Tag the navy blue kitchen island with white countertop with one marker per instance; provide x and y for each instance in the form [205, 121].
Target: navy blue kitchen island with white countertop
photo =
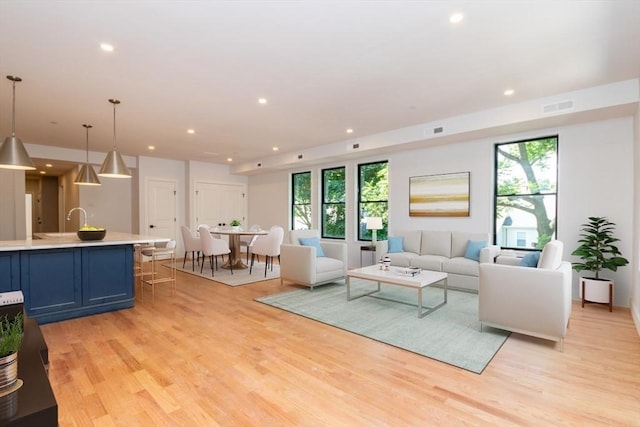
[63, 277]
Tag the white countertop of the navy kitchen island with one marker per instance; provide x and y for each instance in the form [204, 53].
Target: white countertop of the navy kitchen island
[71, 240]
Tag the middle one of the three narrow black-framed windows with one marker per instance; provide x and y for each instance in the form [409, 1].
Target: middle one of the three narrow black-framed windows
[333, 202]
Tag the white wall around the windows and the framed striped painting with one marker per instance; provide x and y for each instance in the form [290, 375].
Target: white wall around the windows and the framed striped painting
[595, 176]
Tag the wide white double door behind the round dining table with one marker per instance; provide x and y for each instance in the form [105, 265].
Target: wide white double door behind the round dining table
[217, 204]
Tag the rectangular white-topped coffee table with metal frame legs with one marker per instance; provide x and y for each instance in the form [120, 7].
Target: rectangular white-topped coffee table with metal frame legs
[393, 277]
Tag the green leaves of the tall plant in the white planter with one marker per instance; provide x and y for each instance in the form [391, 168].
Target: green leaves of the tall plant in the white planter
[597, 250]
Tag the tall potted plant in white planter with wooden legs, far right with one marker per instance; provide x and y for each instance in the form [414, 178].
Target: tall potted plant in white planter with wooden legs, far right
[597, 251]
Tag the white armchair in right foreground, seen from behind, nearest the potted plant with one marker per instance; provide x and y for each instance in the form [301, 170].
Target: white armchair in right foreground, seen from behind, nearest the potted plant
[528, 300]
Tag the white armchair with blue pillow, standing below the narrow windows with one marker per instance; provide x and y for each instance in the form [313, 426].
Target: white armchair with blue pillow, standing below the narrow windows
[299, 264]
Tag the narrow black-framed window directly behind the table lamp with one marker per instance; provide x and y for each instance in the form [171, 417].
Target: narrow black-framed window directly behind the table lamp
[373, 197]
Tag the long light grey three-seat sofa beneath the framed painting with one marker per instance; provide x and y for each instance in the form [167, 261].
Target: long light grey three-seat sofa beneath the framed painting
[441, 251]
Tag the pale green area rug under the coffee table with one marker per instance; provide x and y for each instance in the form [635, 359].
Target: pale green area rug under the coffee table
[450, 334]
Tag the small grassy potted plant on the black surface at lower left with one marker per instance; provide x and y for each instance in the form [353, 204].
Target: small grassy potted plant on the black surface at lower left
[11, 336]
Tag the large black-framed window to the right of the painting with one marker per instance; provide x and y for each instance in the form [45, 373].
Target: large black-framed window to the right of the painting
[525, 205]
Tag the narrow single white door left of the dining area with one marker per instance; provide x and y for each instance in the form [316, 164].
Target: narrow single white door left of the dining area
[161, 208]
